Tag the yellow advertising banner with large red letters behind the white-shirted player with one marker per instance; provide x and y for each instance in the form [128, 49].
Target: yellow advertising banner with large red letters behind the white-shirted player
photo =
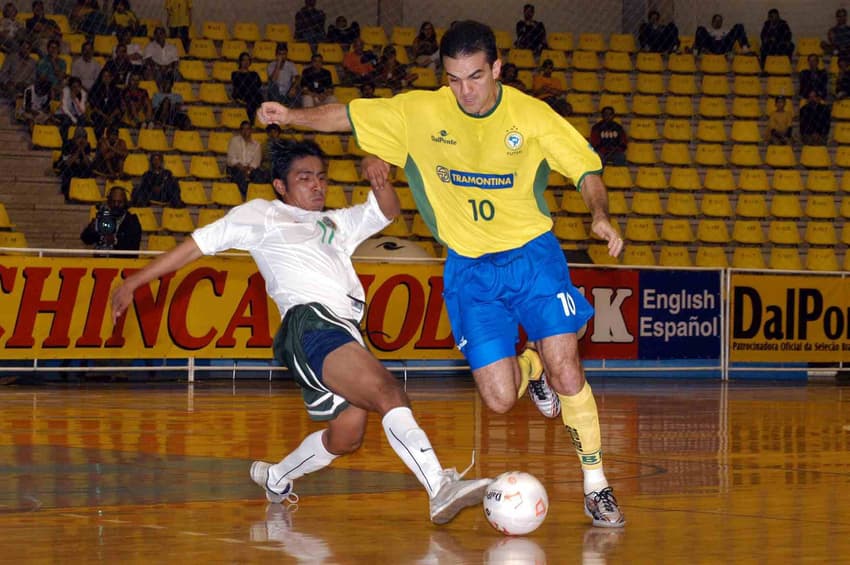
[58, 308]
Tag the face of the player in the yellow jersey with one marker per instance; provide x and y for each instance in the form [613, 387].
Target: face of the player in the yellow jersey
[473, 81]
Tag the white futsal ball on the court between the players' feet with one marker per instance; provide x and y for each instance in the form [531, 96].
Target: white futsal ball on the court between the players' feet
[516, 503]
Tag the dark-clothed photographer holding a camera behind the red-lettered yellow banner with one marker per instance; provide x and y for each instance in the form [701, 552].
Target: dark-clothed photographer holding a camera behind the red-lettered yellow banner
[114, 226]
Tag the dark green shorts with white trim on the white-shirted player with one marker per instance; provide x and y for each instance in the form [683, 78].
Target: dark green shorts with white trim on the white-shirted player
[308, 333]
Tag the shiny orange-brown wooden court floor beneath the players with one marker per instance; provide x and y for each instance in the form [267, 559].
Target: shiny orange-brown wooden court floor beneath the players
[705, 472]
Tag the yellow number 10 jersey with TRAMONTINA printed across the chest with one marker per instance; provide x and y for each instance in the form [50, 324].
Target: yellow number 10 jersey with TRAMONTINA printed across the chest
[478, 181]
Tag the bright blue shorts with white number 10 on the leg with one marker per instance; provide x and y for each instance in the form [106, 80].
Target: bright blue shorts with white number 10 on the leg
[487, 297]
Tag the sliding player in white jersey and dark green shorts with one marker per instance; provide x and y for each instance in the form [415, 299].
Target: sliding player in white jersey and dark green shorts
[304, 254]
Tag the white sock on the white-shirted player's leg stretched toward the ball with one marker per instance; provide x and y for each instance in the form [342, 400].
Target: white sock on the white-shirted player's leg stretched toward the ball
[411, 444]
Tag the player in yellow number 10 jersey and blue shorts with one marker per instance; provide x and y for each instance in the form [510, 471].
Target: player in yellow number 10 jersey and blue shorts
[477, 157]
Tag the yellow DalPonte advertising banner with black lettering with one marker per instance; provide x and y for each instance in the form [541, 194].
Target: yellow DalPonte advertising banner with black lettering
[782, 318]
